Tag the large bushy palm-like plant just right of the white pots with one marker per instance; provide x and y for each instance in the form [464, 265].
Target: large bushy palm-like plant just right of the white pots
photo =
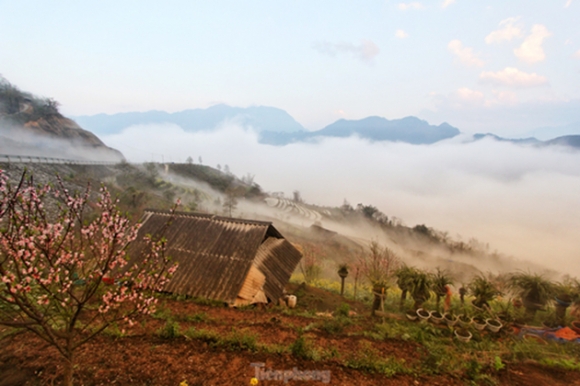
[534, 289]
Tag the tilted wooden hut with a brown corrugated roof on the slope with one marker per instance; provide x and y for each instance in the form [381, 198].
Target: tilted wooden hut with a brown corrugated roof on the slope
[236, 261]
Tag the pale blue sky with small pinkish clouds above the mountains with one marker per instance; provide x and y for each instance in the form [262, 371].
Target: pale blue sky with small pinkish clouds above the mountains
[509, 67]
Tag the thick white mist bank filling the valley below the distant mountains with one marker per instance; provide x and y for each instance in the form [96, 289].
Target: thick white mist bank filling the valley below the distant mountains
[523, 201]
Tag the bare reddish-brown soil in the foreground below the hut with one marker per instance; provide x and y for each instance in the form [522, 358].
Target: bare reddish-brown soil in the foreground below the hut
[143, 358]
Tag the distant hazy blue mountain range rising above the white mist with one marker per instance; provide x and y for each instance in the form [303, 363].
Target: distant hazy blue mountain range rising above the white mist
[276, 127]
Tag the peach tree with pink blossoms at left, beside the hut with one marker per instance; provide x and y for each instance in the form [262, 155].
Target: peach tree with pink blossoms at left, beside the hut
[64, 271]
